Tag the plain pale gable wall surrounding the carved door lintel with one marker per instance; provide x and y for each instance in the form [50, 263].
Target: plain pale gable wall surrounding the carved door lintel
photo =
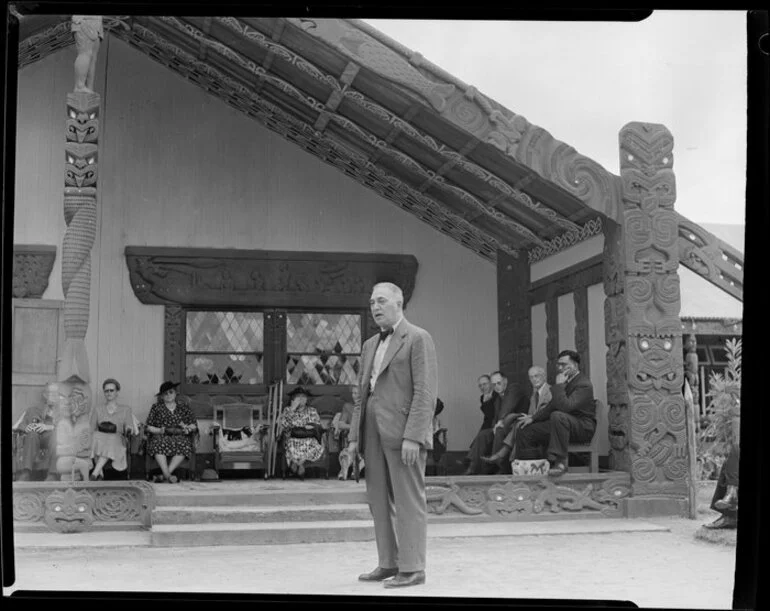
[179, 168]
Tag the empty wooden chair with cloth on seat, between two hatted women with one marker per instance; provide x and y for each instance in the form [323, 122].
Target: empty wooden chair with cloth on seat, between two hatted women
[237, 416]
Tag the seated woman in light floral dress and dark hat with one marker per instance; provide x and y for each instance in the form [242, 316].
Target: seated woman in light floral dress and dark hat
[300, 426]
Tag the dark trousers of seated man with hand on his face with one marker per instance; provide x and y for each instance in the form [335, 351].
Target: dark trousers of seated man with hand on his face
[556, 432]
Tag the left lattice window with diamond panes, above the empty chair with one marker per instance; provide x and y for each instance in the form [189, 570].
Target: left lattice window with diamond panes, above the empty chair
[225, 348]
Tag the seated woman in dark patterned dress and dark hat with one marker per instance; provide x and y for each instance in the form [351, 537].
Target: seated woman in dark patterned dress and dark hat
[171, 422]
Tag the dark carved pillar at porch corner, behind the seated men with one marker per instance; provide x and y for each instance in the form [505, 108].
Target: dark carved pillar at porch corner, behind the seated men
[514, 317]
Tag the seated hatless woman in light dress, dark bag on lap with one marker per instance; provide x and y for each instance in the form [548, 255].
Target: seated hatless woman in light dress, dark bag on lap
[109, 422]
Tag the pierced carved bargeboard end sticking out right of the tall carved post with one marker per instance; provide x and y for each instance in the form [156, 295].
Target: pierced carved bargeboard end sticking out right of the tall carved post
[710, 257]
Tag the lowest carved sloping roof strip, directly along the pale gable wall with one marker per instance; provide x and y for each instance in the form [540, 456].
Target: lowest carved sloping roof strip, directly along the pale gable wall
[325, 146]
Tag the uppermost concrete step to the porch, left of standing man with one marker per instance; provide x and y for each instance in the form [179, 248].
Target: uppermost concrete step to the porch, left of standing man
[255, 497]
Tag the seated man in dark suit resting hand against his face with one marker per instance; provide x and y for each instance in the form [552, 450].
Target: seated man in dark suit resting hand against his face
[570, 416]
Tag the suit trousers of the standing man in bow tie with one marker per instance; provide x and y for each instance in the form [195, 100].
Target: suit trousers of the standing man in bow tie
[397, 500]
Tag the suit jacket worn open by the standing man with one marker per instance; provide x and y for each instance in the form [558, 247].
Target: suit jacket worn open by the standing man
[405, 390]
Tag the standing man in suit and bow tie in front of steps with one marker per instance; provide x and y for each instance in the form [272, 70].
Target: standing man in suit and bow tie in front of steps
[393, 426]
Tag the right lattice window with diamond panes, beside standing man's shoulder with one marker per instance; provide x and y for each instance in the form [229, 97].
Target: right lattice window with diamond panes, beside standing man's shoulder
[323, 348]
